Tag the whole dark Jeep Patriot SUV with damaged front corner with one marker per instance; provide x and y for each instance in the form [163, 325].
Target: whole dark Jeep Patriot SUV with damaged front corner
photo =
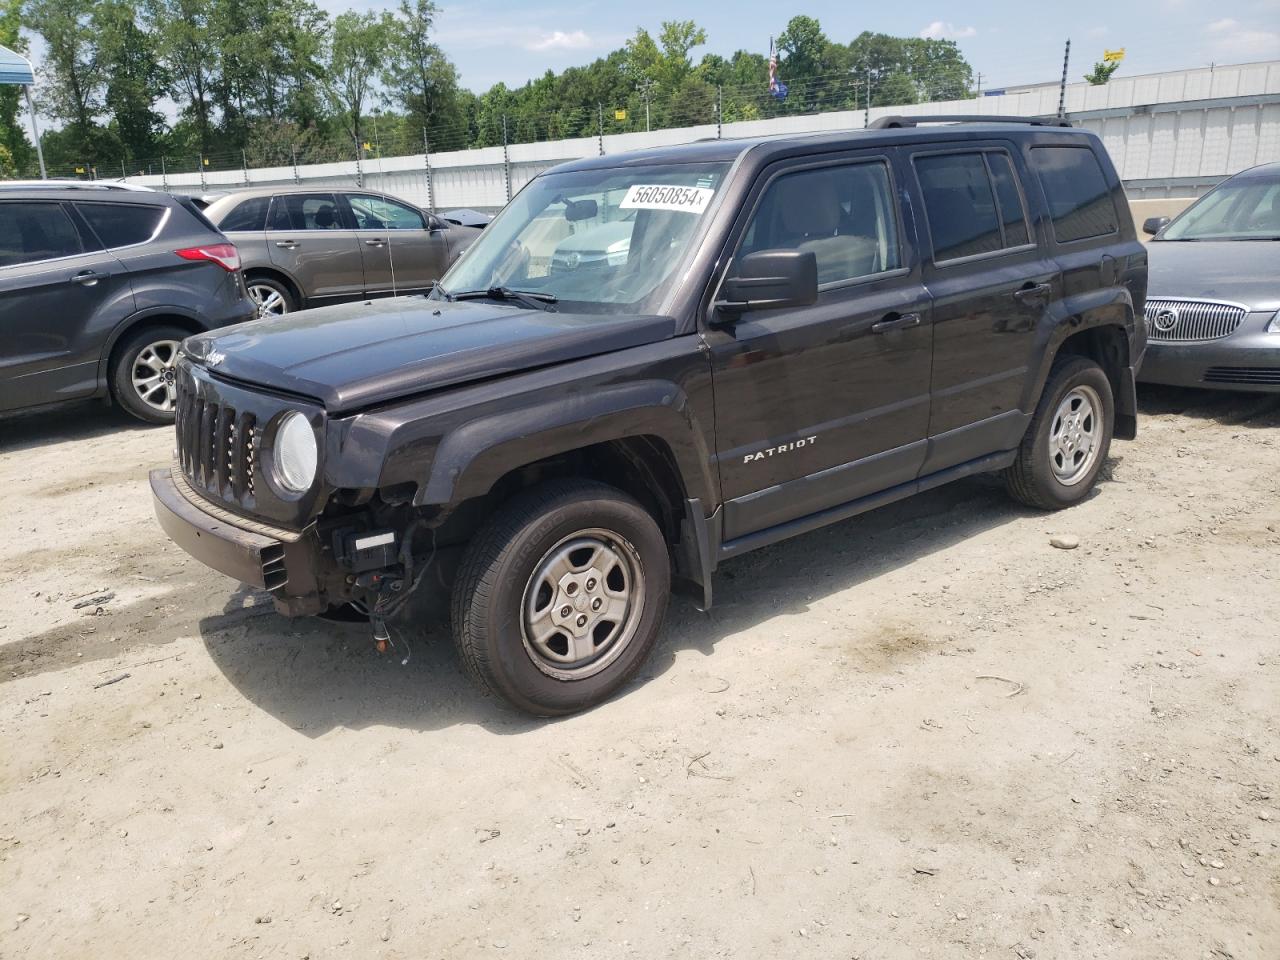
[784, 333]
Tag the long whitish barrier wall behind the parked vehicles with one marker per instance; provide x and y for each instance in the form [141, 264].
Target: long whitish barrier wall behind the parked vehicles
[1171, 135]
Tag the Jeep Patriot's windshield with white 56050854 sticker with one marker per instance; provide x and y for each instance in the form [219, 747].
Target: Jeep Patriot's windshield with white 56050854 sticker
[591, 241]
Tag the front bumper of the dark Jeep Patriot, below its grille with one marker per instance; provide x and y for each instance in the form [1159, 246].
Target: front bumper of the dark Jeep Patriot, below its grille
[285, 568]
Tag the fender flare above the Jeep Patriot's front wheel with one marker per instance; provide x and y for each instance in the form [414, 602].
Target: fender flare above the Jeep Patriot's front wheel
[472, 459]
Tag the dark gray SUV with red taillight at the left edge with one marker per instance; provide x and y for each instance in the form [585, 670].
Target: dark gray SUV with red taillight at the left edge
[99, 285]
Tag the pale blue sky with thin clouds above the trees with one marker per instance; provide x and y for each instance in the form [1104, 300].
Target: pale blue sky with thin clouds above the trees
[1009, 42]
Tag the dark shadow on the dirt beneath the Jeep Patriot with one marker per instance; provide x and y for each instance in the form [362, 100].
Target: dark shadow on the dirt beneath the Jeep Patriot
[316, 675]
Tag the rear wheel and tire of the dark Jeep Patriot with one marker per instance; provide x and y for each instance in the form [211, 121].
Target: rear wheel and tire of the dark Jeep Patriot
[1068, 440]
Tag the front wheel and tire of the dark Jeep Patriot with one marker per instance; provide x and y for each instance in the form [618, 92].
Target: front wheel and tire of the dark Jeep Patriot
[561, 597]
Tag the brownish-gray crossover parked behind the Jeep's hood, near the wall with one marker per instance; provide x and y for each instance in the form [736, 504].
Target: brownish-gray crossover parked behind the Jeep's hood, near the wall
[304, 246]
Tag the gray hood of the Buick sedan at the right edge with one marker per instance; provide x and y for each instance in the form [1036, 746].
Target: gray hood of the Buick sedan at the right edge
[1242, 272]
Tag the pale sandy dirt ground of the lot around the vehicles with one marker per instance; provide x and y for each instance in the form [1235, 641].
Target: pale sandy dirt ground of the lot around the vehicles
[921, 733]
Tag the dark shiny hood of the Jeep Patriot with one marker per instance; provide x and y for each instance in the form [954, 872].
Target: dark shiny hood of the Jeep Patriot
[355, 355]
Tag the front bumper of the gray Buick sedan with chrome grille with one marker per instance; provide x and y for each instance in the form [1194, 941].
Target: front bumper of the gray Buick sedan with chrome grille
[1245, 362]
